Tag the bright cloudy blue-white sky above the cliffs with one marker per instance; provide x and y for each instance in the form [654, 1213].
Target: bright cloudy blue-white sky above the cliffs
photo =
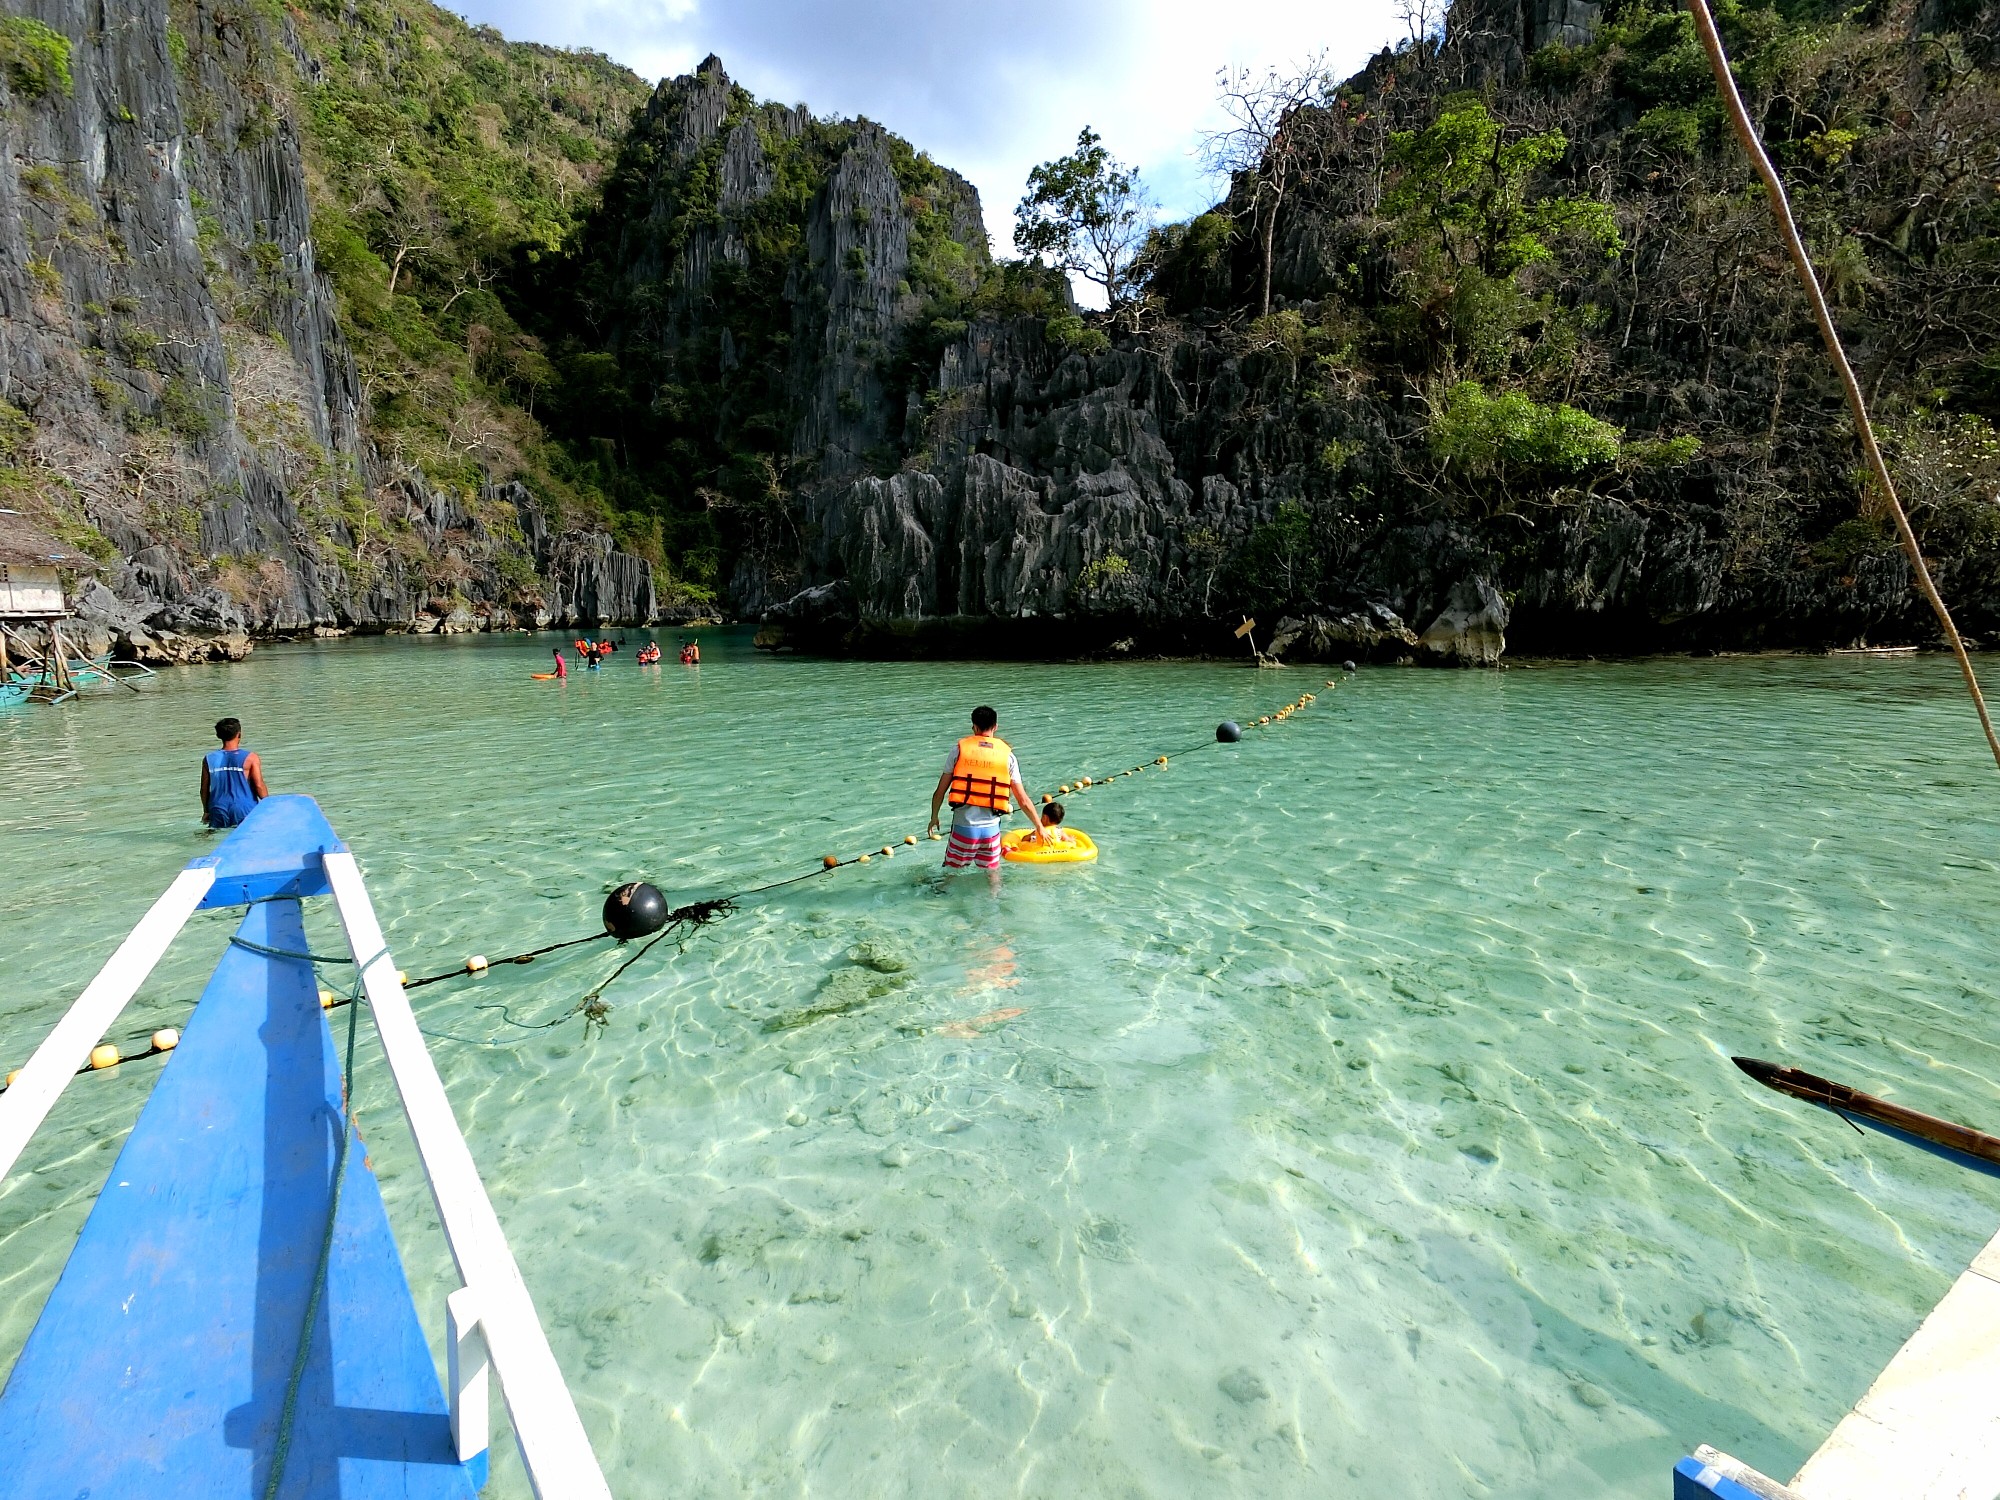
[985, 89]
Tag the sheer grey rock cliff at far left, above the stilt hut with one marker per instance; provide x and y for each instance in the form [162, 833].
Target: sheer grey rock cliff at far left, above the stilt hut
[179, 389]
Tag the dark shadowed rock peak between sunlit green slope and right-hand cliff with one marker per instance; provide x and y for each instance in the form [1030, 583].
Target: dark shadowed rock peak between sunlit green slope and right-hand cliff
[763, 279]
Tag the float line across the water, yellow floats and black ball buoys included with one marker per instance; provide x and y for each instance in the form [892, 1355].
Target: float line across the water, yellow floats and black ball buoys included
[639, 911]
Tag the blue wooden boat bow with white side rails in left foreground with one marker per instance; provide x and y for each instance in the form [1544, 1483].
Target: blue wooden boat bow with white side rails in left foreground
[235, 1315]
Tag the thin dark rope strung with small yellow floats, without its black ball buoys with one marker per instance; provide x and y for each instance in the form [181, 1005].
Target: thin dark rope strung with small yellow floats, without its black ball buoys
[681, 925]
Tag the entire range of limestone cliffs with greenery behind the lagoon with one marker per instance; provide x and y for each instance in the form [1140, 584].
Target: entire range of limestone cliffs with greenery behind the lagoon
[357, 317]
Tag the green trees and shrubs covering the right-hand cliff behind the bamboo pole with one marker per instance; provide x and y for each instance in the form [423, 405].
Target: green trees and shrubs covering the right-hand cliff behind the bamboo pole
[1527, 285]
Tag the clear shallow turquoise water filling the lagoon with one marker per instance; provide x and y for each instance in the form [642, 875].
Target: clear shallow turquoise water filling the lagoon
[1367, 1125]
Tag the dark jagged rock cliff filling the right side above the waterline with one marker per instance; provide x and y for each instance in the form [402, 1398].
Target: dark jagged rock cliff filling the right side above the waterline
[1215, 463]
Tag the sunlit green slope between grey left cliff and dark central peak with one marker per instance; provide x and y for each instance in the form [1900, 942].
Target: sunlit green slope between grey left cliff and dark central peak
[443, 163]
